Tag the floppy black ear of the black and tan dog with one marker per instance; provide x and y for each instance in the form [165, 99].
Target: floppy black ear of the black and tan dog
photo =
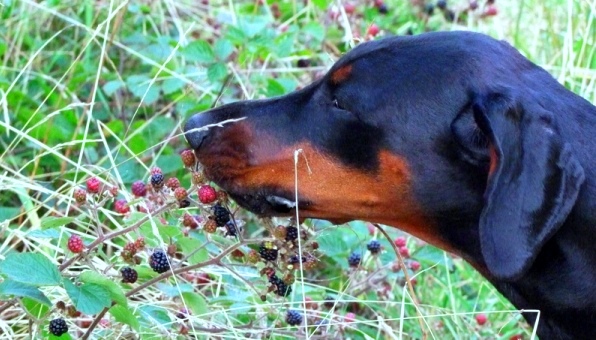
[533, 182]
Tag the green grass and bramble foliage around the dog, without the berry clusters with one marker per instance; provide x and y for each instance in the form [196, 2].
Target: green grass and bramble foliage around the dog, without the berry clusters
[98, 88]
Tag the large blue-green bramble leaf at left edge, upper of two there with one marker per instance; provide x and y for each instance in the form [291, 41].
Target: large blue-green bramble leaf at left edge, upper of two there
[29, 268]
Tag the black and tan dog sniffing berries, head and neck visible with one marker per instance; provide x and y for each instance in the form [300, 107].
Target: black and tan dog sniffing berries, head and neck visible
[453, 137]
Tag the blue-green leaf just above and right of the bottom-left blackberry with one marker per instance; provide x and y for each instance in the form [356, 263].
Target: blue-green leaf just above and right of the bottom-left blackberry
[88, 298]
